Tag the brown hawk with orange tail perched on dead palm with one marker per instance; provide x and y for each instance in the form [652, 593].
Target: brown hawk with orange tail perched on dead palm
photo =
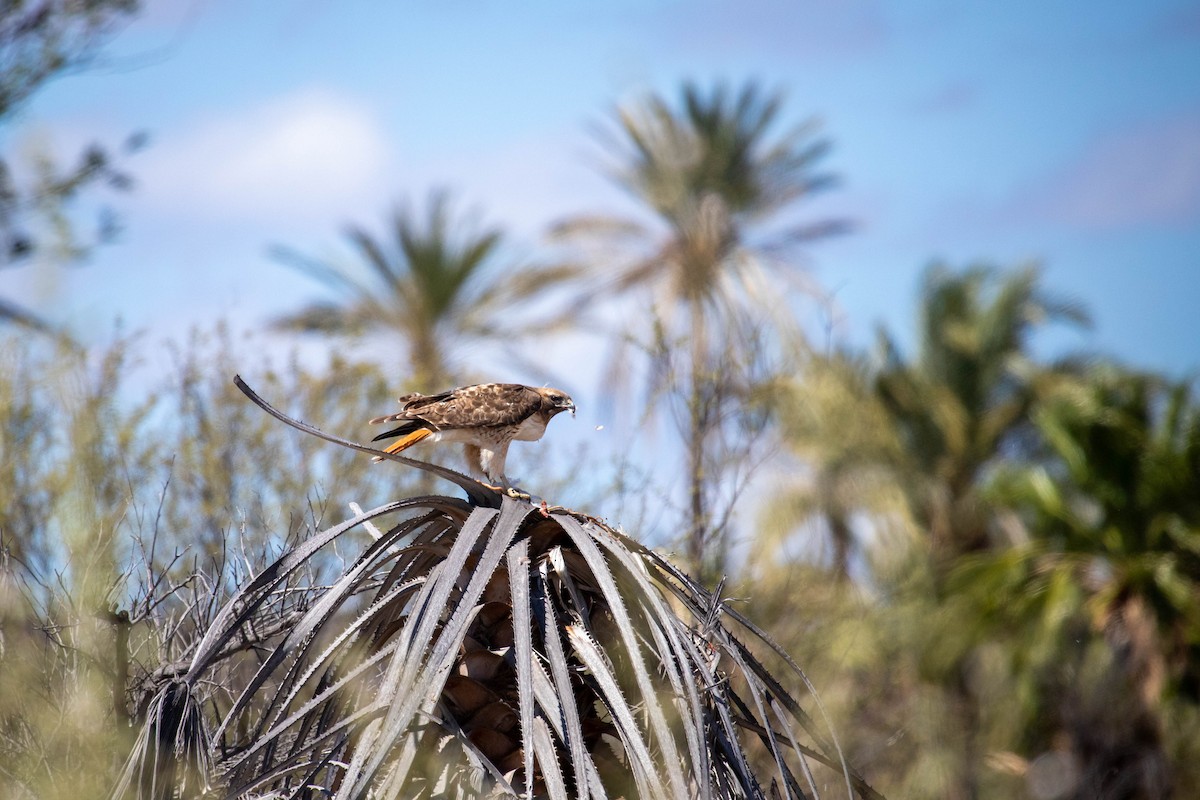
[485, 418]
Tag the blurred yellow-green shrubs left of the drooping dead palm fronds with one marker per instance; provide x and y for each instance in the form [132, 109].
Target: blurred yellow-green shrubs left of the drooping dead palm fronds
[127, 512]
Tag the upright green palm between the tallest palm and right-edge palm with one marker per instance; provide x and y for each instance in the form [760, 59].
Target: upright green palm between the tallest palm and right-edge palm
[964, 401]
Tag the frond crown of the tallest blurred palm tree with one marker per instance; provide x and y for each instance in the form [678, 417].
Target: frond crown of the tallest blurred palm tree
[707, 166]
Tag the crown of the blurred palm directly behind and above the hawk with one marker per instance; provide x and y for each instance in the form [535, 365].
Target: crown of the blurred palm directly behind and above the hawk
[441, 284]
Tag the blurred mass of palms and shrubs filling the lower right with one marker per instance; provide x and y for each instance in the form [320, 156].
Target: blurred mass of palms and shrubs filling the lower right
[1025, 536]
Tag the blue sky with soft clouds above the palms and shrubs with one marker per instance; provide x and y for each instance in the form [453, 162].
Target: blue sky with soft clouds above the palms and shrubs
[1003, 133]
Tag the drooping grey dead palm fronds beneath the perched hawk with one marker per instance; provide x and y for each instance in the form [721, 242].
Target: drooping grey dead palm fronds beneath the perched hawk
[482, 648]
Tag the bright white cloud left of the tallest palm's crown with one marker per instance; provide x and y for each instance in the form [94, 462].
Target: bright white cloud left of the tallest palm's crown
[311, 157]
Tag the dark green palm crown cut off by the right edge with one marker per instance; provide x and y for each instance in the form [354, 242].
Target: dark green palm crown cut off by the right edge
[1126, 502]
